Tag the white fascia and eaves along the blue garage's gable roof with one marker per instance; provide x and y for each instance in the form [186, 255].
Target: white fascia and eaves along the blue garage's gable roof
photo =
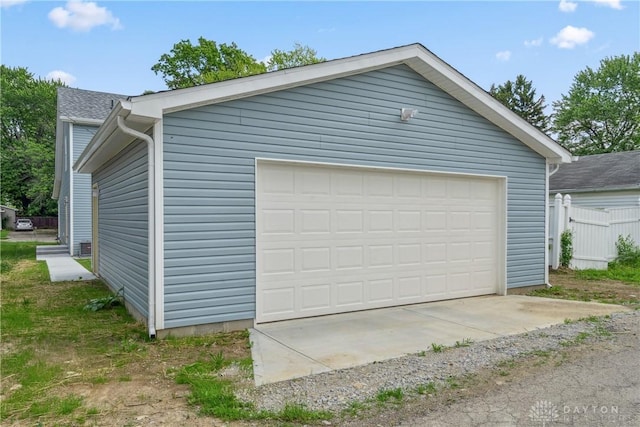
[142, 112]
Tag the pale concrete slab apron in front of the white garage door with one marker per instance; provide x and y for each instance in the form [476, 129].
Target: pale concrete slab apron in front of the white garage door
[296, 348]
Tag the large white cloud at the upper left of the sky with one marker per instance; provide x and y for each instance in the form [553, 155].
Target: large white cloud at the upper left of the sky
[83, 16]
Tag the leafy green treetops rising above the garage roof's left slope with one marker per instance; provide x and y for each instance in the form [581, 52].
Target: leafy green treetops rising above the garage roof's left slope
[189, 65]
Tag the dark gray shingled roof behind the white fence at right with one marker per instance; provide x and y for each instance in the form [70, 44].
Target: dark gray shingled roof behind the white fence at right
[599, 172]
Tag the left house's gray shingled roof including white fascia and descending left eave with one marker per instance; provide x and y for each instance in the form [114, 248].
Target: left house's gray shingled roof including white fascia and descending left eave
[82, 107]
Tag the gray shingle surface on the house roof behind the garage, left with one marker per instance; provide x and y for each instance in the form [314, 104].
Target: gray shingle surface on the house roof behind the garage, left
[81, 104]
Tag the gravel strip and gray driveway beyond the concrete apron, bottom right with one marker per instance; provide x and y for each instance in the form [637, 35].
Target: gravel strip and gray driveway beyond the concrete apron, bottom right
[551, 384]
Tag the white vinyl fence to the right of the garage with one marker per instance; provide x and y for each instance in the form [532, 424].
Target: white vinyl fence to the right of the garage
[595, 232]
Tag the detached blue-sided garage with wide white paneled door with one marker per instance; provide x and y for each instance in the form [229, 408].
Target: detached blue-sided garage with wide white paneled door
[313, 190]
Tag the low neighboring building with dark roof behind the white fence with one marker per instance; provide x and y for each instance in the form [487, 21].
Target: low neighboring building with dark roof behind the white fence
[610, 180]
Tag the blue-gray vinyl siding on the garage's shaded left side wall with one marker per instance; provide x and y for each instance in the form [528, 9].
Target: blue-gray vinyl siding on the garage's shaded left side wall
[123, 224]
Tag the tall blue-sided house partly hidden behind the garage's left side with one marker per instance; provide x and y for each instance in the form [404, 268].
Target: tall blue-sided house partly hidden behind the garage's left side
[80, 113]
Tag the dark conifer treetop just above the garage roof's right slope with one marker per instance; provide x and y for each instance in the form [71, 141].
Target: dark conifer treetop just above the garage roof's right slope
[520, 97]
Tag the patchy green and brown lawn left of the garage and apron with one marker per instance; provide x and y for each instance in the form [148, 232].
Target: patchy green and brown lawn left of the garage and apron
[65, 365]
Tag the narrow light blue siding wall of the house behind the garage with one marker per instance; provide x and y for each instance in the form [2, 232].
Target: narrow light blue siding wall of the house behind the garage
[81, 190]
